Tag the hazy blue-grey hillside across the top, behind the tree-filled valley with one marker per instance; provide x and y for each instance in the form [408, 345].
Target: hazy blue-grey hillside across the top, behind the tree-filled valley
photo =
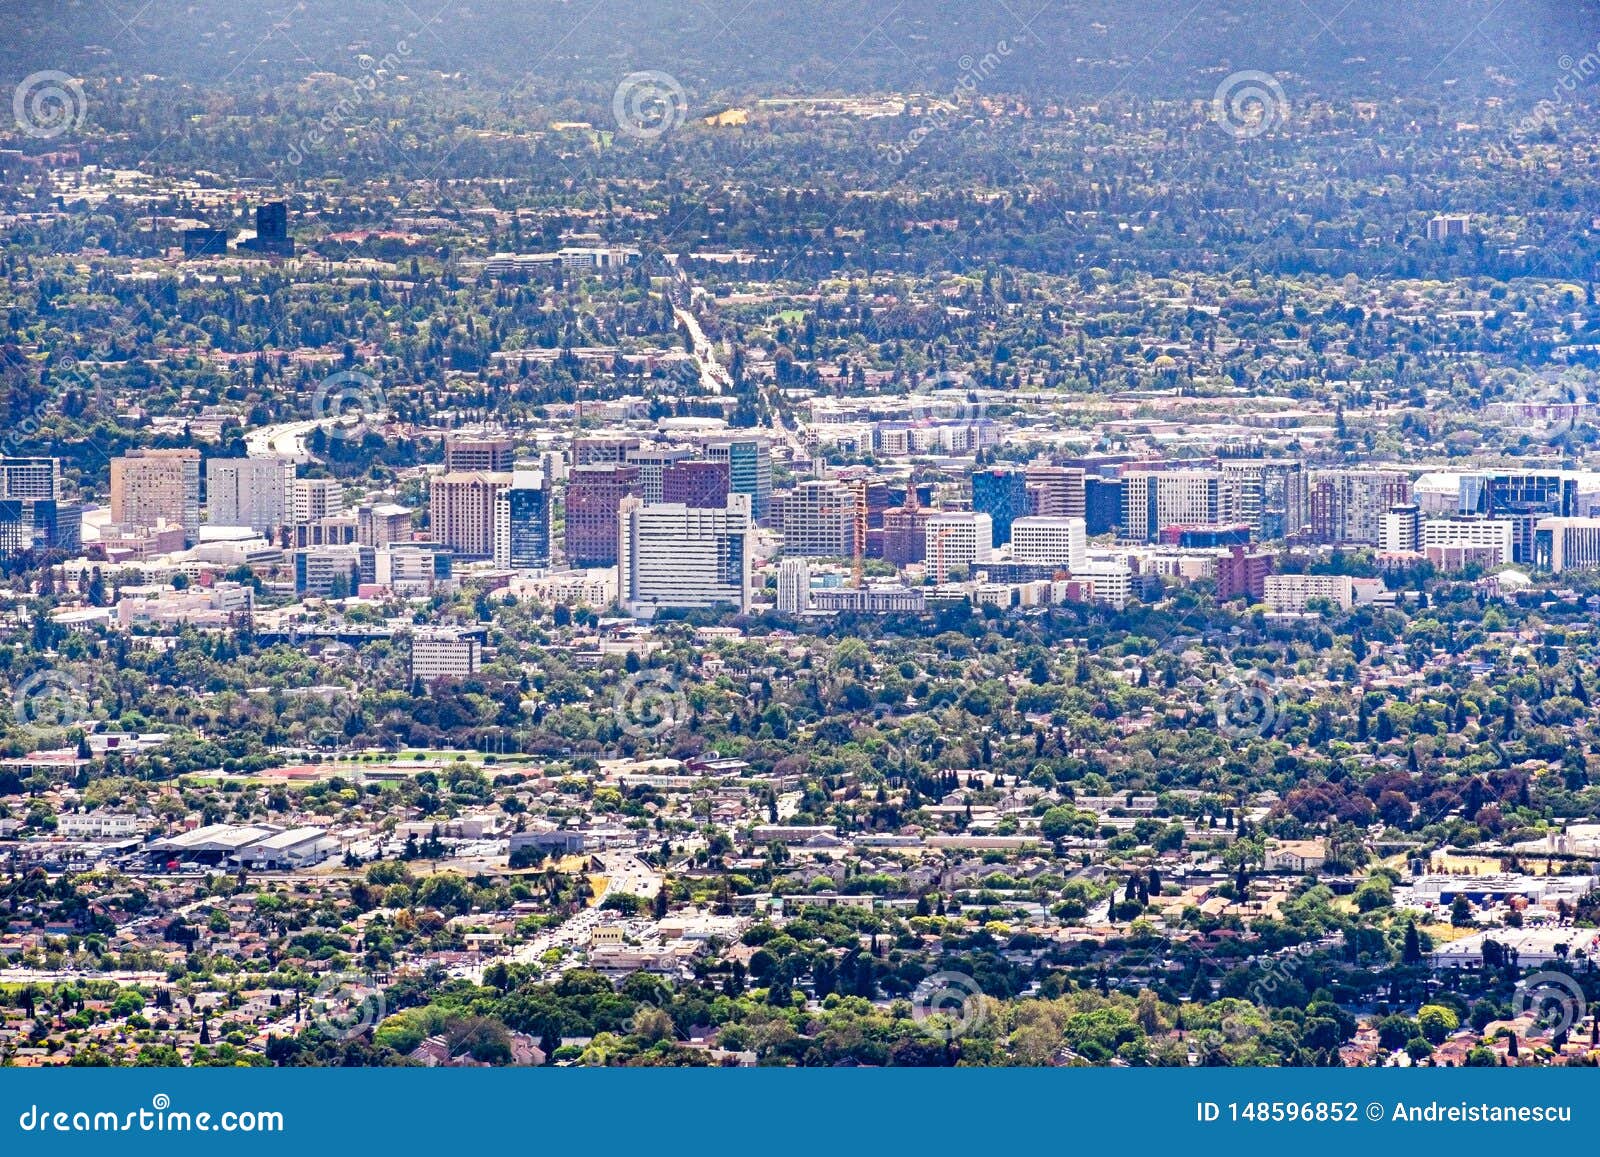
[1079, 49]
